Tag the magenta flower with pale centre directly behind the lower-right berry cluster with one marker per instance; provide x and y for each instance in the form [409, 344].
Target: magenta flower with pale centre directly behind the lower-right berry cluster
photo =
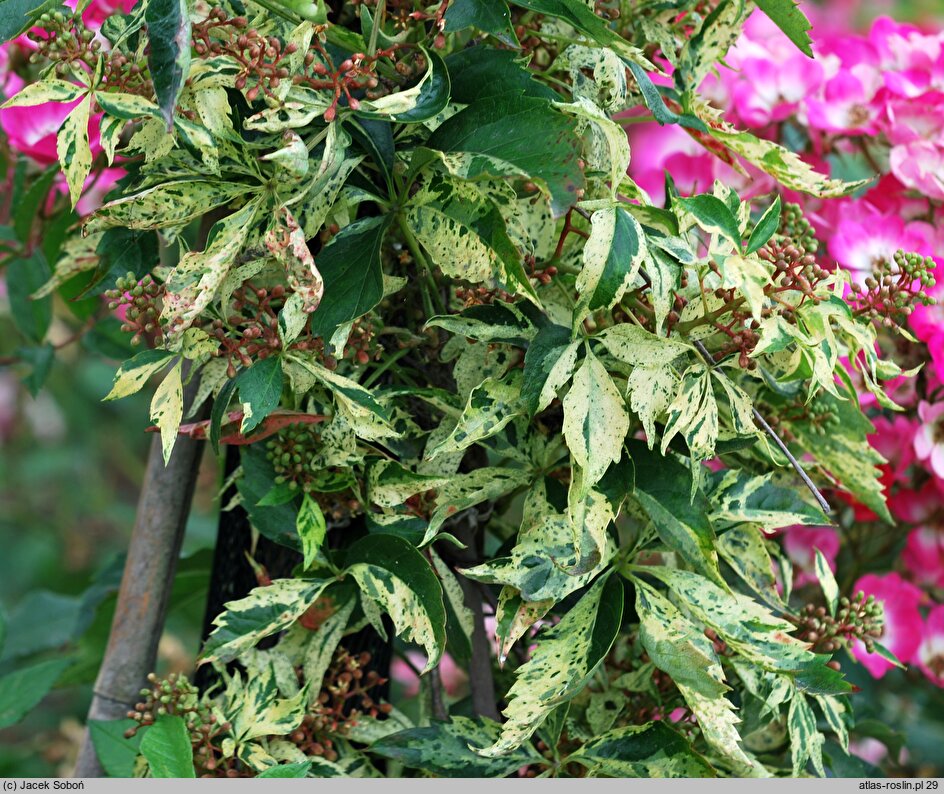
[903, 625]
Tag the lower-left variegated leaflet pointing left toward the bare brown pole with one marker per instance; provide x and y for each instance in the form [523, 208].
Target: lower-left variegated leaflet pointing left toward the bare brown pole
[265, 611]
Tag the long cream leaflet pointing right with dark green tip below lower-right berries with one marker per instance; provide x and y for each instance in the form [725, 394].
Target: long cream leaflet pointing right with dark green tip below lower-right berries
[753, 631]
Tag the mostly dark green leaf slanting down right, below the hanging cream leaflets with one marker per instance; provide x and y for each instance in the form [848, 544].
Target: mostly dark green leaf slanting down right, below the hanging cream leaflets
[663, 490]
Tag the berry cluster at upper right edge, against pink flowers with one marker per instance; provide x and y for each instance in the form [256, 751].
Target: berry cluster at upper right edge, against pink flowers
[893, 290]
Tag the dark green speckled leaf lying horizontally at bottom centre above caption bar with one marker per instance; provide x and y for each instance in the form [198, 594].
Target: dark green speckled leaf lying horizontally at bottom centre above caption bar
[443, 749]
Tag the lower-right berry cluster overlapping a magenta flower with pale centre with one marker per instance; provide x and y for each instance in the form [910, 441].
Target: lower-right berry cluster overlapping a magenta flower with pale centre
[861, 618]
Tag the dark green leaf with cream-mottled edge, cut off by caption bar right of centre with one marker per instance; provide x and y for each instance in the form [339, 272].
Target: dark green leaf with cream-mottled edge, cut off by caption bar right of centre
[650, 750]
